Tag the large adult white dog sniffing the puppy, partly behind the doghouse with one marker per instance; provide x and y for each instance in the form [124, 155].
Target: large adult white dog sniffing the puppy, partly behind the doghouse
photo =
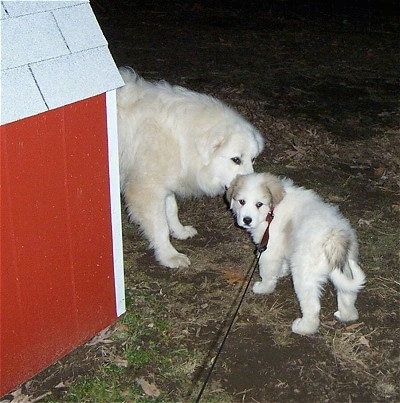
[173, 141]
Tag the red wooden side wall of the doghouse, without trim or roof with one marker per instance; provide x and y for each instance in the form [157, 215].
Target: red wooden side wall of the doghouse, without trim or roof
[57, 281]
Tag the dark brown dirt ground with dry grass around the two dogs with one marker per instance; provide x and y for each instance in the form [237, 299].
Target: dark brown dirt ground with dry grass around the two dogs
[322, 84]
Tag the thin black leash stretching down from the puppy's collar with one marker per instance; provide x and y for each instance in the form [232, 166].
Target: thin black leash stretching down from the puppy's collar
[260, 248]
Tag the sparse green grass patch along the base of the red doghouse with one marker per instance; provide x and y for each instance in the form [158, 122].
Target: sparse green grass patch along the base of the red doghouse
[135, 347]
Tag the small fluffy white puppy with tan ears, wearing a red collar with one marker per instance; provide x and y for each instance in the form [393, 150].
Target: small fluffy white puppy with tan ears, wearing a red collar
[306, 236]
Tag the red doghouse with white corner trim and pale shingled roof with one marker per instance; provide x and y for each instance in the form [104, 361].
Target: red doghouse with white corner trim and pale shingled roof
[61, 244]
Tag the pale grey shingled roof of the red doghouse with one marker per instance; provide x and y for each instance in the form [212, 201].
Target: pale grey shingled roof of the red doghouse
[53, 53]
